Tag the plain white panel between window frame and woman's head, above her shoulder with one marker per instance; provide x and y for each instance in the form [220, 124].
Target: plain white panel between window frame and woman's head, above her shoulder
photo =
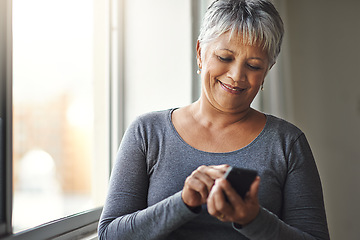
[157, 55]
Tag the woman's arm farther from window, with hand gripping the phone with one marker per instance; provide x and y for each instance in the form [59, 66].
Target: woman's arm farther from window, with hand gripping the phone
[303, 214]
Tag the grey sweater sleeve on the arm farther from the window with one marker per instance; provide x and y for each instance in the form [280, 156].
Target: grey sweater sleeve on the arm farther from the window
[303, 214]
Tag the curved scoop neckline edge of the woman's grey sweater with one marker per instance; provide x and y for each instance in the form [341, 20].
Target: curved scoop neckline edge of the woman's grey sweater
[258, 137]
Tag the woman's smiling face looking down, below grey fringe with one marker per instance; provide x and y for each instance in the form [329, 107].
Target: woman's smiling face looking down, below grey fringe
[231, 72]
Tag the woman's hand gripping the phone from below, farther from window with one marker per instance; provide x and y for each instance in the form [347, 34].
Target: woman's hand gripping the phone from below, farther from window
[236, 209]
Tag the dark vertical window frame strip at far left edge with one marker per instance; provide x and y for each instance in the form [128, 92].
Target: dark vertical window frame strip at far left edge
[5, 116]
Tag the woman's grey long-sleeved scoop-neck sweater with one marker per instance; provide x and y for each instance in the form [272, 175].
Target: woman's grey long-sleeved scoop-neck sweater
[144, 198]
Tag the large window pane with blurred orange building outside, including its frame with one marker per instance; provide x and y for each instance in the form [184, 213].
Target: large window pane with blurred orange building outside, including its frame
[54, 116]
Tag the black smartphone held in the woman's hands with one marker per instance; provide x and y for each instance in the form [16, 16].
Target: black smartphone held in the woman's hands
[240, 179]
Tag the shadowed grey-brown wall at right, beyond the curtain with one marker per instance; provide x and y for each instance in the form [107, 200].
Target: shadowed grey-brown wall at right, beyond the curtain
[324, 50]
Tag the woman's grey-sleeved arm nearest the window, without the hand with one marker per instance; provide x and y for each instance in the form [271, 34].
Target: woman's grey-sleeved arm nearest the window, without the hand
[126, 214]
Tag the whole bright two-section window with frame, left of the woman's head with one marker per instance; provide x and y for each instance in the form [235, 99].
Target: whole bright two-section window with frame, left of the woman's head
[74, 74]
